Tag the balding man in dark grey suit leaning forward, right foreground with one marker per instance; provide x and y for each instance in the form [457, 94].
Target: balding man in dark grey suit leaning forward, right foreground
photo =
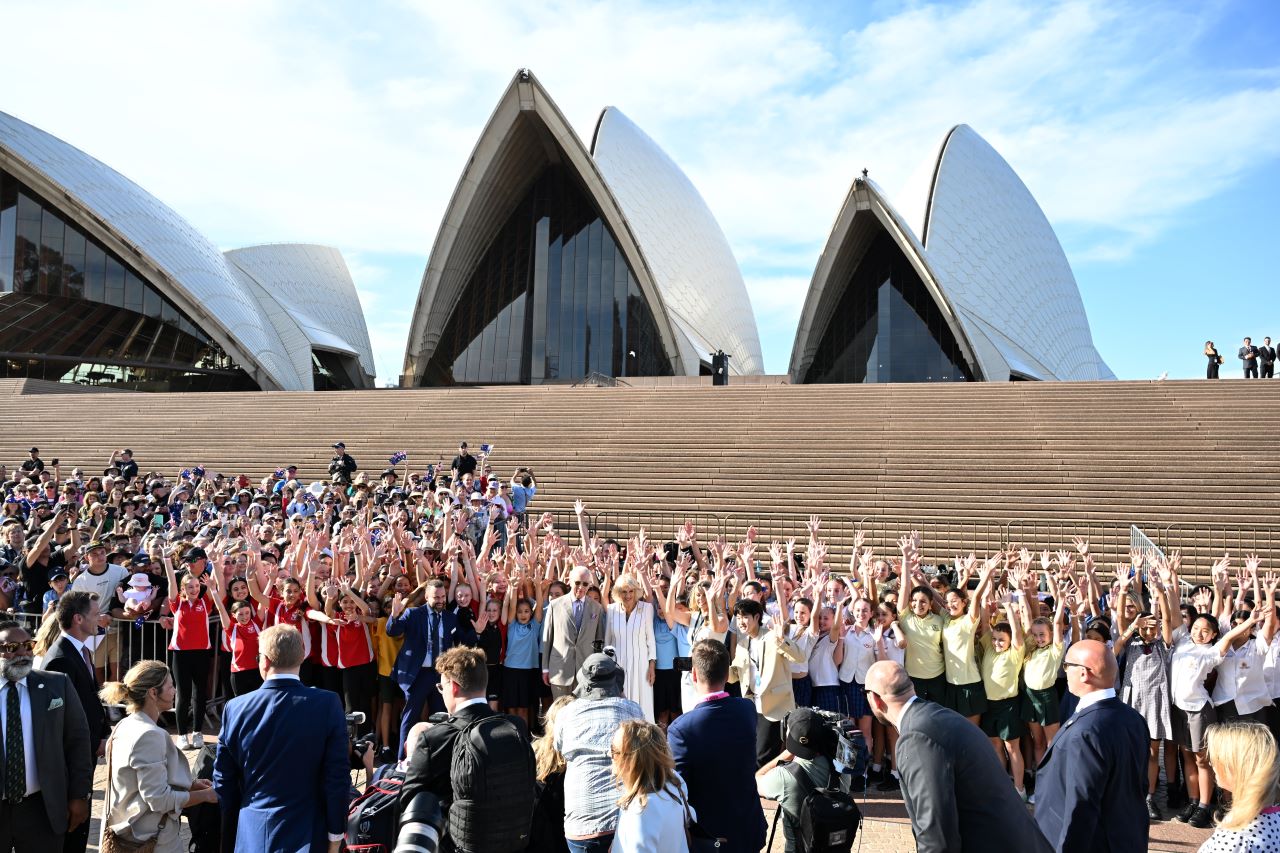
[958, 796]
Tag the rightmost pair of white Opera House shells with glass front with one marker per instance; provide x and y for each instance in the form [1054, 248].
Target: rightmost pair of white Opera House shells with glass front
[966, 282]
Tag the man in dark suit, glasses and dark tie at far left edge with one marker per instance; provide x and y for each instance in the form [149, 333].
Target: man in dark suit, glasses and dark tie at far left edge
[47, 776]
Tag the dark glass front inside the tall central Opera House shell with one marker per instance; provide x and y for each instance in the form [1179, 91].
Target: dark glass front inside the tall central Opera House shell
[551, 300]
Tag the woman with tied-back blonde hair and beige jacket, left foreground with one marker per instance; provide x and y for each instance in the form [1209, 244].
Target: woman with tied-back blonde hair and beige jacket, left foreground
[148, 778]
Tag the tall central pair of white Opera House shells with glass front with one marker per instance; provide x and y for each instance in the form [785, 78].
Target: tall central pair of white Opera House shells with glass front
[555, 262]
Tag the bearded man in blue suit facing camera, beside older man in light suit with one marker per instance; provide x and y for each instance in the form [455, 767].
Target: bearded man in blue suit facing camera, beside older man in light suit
[429, 632]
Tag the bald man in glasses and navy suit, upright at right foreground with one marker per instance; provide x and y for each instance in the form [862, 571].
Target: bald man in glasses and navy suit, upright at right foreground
[1091, 788]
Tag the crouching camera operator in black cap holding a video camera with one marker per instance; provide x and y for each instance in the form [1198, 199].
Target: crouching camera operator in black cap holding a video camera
[811, 747]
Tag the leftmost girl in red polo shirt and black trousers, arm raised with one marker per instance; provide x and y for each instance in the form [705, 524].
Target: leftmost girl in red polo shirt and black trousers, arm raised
[191, 653]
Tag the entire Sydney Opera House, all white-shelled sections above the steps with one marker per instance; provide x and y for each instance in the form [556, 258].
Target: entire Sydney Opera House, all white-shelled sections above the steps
[555, 262]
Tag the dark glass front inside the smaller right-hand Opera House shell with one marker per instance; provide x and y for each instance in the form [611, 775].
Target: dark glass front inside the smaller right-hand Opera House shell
[886, 327]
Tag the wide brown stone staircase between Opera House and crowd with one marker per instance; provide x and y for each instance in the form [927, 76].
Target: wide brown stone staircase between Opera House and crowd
[975, 467]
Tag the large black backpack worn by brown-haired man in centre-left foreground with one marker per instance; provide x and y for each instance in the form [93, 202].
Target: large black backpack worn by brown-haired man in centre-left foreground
[495, 790]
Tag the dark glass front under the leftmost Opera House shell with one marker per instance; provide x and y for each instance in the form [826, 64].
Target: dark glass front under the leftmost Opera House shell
[74, 312]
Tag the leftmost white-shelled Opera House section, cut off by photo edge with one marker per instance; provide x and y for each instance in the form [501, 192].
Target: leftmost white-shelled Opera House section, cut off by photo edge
[104, 285]
